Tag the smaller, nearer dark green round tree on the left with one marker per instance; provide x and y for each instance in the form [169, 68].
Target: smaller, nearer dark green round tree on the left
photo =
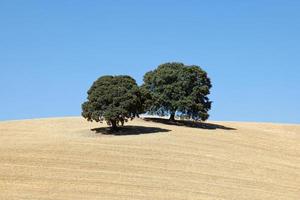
[114, 99]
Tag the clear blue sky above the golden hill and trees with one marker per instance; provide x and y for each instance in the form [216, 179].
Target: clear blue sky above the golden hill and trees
[52, 51]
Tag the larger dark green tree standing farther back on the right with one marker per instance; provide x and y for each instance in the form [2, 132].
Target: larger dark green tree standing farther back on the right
[177, 88]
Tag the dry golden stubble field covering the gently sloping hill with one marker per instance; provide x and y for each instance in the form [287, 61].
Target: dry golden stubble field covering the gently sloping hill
[61, 158]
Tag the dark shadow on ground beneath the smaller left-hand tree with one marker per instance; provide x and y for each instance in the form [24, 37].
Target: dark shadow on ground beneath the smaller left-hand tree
[130, 130]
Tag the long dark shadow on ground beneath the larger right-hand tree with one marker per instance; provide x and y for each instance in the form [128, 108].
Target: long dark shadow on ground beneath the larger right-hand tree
[187, 123]
